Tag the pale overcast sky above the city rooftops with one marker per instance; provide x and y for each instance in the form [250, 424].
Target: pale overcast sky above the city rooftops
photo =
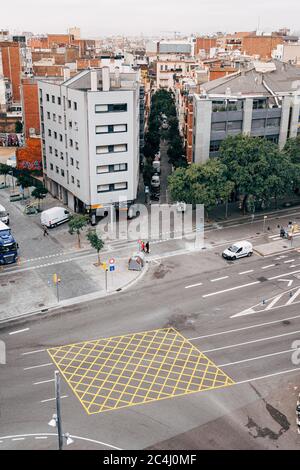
[98, 18]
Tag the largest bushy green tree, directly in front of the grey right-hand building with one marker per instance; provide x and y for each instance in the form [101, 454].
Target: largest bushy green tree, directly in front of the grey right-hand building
[257, 168]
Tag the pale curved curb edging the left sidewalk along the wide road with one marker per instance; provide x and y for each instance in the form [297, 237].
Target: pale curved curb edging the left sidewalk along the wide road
[75, 300]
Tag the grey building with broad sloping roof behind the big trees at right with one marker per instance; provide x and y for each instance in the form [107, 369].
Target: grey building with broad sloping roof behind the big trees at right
[262, 101]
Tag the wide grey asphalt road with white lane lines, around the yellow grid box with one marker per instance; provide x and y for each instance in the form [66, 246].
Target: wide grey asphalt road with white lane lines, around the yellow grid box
[200, 296]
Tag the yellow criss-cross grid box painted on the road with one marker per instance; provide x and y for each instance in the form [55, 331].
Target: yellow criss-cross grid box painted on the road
[122, 371]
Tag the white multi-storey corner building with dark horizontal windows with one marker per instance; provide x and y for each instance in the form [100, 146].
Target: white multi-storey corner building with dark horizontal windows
[90, 131]
